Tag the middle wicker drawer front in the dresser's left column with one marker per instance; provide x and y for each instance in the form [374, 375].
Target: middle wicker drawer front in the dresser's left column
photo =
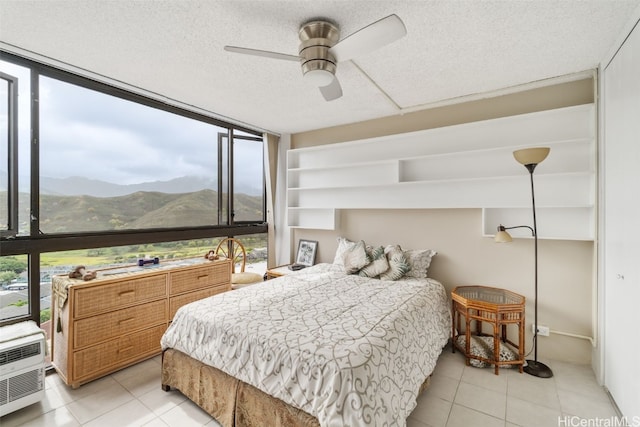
[110, 325]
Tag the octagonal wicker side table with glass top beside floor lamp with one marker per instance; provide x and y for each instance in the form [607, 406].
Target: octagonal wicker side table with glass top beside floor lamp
[498, 307]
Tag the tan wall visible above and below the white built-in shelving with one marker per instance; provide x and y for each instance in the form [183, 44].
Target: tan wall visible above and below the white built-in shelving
[566, 268]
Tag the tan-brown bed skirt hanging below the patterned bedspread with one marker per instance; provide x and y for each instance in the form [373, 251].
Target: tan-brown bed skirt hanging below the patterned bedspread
[230, 401]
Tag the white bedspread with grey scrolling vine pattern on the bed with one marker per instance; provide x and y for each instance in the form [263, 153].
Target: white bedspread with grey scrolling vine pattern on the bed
[349, 350]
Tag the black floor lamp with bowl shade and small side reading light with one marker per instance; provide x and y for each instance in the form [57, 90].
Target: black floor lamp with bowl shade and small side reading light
[530, 158]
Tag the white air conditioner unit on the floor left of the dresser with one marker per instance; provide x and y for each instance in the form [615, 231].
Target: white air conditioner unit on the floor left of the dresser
[22, 350]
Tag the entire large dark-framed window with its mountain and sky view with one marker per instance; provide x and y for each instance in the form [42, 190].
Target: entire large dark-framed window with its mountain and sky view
[93, 175]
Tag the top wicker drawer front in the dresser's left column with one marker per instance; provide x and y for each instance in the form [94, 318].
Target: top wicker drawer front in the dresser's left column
[101, 298]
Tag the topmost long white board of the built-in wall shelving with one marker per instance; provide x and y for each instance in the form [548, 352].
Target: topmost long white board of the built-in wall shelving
[524, 130]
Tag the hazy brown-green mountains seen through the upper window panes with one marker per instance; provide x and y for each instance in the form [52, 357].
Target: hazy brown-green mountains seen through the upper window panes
[82, 205]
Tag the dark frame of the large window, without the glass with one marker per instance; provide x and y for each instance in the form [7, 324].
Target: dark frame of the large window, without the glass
[35, 243]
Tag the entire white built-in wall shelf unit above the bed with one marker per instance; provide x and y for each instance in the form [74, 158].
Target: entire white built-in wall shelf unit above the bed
[463, 166]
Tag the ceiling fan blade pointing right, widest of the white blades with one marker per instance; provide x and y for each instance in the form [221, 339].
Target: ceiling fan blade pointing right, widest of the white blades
[370, 38]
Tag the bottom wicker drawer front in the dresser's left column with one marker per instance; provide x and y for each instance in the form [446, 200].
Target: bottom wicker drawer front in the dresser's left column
[110, 354]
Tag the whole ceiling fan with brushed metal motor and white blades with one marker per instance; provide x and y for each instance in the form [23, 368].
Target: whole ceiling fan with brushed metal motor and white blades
[320, 51]
